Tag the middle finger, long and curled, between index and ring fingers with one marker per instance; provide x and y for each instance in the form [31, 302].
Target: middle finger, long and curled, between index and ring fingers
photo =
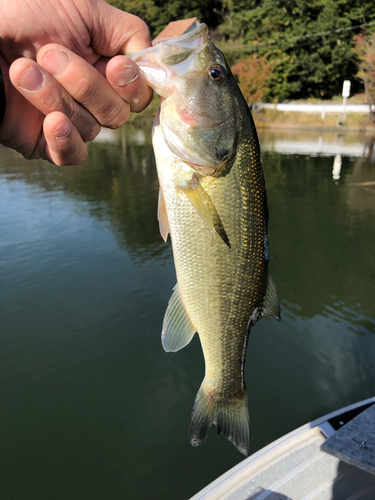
[85, 84]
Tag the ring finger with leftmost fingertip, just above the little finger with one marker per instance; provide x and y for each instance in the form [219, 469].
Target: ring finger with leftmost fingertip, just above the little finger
[47, 95]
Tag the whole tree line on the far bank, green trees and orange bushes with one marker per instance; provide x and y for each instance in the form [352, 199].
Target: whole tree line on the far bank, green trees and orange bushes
[281, 49]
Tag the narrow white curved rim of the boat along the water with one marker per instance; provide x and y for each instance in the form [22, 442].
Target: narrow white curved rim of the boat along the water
[224, 484]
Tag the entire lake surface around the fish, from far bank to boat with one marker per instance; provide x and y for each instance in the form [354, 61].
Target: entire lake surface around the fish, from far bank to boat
[91, 406]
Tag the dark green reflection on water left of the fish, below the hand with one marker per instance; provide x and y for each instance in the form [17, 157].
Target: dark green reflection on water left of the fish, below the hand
[118, 182]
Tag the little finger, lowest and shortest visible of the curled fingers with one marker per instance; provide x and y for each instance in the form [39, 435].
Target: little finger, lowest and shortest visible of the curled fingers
[63, 143]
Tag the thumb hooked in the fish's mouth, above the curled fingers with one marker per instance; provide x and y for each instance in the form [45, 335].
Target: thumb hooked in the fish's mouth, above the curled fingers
[114, 31]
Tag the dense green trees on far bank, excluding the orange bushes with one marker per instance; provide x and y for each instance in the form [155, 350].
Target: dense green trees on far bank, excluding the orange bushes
[312, 58]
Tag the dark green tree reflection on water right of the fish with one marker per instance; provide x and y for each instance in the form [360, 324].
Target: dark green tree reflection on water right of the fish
[321, 235]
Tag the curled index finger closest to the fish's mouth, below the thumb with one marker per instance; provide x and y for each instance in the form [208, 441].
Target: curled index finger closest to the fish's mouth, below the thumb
[129, 82]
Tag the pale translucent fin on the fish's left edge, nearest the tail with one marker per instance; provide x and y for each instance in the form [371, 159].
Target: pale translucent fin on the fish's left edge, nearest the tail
[177, 330]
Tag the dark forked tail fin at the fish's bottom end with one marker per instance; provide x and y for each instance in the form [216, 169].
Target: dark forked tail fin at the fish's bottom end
[231, 418]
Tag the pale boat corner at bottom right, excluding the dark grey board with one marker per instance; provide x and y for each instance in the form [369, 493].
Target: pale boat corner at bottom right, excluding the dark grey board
[294, 468]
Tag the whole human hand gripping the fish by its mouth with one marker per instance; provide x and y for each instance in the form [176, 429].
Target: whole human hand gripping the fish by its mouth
[62, 86]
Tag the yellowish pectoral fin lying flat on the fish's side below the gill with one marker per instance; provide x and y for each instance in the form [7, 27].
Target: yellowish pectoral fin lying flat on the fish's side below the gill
[206, 210]
